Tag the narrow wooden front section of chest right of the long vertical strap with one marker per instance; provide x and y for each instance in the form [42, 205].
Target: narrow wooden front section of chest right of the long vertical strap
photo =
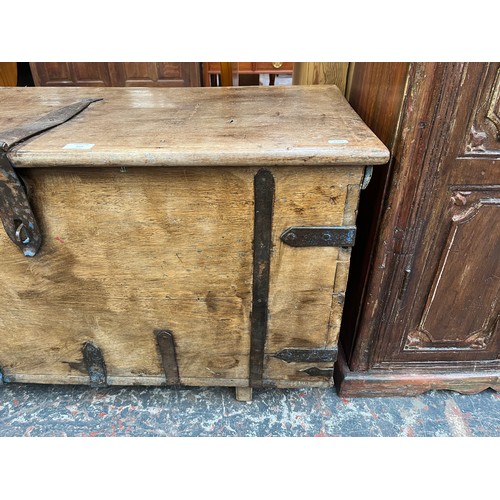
[308, 284]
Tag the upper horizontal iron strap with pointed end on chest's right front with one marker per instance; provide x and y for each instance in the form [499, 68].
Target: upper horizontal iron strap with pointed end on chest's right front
[319, 236]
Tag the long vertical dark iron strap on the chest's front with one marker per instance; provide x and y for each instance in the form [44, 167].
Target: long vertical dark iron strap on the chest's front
[264, 200]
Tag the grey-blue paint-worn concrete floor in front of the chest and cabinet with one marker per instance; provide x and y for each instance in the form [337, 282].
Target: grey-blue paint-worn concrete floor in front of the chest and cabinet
[35, 410]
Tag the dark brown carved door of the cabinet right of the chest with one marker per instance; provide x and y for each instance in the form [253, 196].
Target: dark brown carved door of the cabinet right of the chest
[444, 304]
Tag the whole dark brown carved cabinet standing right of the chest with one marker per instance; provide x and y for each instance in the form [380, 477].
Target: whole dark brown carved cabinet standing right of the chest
[424, 309]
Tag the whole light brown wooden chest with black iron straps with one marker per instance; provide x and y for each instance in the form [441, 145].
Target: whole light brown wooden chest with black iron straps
[195, 236]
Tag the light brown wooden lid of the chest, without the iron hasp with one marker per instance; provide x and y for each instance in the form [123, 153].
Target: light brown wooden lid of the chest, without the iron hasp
[229, 126]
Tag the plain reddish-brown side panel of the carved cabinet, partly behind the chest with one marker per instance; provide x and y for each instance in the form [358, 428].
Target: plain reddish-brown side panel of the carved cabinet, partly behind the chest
[376, 92]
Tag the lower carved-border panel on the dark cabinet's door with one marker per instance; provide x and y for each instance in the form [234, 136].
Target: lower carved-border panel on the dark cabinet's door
[462, 307]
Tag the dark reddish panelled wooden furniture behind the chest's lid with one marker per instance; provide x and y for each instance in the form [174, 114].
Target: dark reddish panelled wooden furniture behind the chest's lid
[121, 74]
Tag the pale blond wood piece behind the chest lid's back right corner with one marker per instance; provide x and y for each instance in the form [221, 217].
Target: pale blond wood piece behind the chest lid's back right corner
[321, 73]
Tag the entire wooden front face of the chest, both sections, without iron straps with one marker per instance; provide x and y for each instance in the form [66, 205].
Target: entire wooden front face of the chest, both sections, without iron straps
[127, 253]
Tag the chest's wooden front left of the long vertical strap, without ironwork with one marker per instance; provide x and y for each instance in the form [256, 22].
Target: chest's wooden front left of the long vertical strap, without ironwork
[126, 254]
